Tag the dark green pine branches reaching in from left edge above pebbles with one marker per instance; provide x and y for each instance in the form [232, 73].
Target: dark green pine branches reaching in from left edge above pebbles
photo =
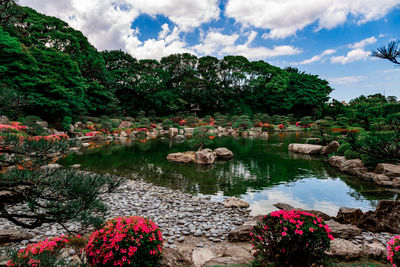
[33, 195]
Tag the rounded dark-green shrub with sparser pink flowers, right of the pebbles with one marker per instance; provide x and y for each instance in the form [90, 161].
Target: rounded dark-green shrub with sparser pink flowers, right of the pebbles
[290, 237]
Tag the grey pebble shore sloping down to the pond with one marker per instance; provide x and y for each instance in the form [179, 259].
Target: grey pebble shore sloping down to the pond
[175, 212]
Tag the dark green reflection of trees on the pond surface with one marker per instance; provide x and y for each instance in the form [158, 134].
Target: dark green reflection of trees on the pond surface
[257, 164]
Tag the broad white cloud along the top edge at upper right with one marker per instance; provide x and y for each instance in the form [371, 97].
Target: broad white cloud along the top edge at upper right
[284, 18]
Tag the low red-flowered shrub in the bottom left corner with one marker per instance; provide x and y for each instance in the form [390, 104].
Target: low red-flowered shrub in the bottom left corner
[43, 253]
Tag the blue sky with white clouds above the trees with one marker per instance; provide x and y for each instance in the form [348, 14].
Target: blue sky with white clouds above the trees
[329, 38]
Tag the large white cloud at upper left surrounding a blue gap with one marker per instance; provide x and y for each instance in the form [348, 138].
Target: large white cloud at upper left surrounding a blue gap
[107, 23]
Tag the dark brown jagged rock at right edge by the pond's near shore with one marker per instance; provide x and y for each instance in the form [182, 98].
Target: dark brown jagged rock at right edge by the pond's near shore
[386, 218]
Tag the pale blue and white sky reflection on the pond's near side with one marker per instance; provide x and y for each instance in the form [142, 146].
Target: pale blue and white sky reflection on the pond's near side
[326, 195]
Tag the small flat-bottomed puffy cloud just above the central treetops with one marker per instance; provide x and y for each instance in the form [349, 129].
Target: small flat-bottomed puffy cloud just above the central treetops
[221, 44]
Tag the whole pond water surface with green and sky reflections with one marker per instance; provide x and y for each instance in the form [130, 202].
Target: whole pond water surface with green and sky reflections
[262, 172]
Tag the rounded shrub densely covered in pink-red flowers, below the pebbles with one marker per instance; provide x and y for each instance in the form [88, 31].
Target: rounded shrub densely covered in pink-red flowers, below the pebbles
[126, 241]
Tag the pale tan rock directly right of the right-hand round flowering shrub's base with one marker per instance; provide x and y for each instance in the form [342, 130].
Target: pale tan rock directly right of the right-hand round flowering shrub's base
[344, 249]
